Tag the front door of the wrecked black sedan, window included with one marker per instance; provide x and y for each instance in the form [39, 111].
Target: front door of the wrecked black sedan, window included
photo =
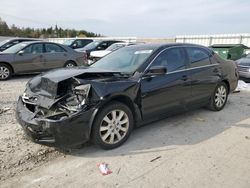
[166, 93]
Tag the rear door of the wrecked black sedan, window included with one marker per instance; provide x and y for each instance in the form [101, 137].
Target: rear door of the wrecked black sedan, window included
[204, 74]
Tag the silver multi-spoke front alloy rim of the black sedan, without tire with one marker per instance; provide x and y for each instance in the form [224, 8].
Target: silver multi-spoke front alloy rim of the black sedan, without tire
[114, 127]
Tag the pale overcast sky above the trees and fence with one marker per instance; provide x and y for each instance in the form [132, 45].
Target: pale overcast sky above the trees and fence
[140, 18]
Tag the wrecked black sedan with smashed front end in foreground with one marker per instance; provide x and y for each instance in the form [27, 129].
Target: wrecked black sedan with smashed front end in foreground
[131, 86]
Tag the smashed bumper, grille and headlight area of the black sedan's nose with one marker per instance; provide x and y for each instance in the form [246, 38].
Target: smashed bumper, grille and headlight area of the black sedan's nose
[56, 112]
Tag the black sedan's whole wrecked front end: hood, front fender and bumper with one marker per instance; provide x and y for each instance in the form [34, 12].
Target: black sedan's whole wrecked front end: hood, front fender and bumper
[59, 107]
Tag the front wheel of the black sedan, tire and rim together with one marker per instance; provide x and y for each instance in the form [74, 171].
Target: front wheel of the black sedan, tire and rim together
[112, 126]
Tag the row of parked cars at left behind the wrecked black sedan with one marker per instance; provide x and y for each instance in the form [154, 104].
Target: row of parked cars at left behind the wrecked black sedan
[21, 55]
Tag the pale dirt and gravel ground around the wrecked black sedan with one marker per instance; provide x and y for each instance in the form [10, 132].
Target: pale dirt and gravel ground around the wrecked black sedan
[196, 149]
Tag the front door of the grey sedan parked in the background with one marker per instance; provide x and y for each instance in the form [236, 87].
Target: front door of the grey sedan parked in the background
[31, 60]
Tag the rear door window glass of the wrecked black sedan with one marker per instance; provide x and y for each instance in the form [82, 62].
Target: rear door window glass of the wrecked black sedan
[198, 57]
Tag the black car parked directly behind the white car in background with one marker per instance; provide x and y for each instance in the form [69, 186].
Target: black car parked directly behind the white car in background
[97, 45]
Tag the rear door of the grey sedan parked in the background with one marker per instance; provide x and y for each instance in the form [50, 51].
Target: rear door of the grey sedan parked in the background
[55, 56]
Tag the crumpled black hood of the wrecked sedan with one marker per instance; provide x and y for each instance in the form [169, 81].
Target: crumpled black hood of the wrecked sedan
[56, 83]
